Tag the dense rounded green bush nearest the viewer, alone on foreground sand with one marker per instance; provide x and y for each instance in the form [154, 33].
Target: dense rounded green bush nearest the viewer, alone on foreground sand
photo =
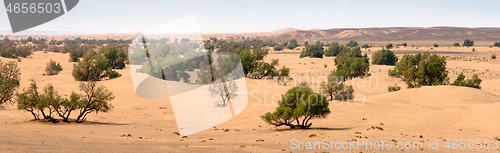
[297, 107]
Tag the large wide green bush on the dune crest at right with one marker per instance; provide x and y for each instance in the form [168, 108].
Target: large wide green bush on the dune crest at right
[422, 70]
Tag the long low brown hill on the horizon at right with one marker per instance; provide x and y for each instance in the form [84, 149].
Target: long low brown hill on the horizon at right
[393, 33]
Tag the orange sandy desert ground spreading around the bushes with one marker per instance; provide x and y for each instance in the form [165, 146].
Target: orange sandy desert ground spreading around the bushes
[426, 114]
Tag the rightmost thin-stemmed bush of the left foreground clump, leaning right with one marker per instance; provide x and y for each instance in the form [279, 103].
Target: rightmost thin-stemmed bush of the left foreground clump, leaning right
[94, 100]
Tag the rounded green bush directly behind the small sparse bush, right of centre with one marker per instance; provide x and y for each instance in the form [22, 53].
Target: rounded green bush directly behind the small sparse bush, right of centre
[351, 64]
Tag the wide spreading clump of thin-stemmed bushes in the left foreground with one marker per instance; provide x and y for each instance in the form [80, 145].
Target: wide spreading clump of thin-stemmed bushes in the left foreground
[95, 99]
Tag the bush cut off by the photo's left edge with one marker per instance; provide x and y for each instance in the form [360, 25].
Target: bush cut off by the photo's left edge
[10, 76]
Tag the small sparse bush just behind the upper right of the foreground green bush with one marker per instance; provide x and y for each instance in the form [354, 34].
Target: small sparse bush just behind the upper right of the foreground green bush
[337, 89]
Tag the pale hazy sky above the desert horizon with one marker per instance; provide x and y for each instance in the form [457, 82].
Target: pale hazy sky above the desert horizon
[229, 16]
